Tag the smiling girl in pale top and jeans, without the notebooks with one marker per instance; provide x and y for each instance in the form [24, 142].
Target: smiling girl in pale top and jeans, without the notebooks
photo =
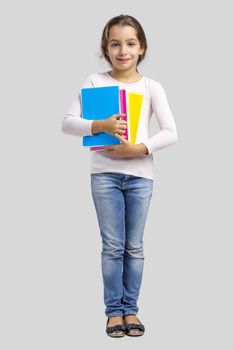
[122, 175]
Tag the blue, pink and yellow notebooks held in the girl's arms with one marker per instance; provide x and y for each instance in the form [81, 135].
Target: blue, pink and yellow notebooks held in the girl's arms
[102, 103]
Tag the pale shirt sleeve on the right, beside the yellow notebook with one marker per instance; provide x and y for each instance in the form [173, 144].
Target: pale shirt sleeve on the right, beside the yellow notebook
[168, 132]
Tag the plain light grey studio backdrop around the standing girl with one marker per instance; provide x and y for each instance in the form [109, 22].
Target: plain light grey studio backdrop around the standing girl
[51, 283]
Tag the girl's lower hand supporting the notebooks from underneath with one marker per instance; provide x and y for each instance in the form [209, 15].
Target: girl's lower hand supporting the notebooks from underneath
[126, 149]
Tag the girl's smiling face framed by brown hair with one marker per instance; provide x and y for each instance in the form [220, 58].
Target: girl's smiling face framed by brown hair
[123, 47]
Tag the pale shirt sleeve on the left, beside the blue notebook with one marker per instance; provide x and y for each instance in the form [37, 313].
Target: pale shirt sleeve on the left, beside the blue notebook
[73, 123]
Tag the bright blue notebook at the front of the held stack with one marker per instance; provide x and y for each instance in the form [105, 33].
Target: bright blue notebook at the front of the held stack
[100, 103]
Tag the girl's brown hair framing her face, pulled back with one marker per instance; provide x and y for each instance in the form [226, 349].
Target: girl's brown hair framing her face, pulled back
[123, 20]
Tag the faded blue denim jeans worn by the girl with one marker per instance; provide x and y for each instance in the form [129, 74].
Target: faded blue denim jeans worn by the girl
[121, 202]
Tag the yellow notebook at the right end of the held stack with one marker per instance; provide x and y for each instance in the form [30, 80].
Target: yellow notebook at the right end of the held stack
[134, 110]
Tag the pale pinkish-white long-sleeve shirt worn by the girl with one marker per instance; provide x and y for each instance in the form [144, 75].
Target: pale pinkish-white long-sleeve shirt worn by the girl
[154, 101]
